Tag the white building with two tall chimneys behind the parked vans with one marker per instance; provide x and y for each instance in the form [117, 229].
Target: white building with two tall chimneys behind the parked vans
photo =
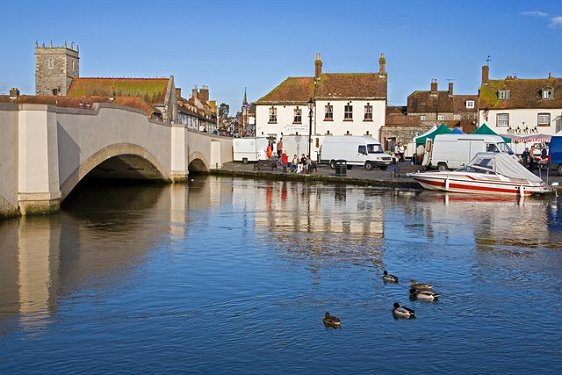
[342, 103]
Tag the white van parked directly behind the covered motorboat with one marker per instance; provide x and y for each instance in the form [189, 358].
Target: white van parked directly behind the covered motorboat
[451, 151]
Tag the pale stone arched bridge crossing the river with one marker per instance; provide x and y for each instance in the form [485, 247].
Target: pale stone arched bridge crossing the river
[46, 150]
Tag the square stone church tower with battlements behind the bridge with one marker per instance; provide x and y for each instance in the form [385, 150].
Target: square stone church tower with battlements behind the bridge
[55, 67]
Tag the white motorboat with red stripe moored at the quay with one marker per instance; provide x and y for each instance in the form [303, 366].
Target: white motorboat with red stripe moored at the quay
[487, 173]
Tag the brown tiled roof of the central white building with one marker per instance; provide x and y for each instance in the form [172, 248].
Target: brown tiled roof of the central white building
[329, 86]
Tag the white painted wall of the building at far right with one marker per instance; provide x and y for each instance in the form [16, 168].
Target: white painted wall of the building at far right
[521, 118]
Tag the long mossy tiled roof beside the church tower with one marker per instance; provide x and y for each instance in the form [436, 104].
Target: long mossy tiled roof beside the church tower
[152, 90]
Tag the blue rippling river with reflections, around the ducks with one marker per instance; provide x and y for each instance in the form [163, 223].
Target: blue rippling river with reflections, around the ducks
[234, 276]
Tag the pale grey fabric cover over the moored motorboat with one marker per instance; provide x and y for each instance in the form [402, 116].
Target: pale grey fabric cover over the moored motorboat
[504, 164]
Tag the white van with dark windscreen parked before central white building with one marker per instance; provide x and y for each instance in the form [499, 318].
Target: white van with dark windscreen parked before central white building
[355, 150]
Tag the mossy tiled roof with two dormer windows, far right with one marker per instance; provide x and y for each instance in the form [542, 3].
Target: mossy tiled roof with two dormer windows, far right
[524, 93]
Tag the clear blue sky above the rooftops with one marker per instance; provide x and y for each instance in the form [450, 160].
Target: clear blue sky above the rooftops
[229, 45]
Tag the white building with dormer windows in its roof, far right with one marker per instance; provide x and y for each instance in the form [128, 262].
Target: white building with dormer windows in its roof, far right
[521, 106]
